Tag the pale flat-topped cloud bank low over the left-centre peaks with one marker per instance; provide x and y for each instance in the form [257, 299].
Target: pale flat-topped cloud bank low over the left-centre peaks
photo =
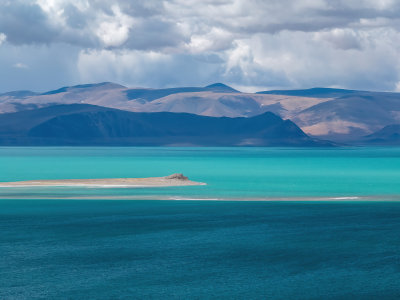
[143, 68]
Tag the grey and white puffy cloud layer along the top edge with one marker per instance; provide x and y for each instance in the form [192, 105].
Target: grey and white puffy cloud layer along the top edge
[185, 25]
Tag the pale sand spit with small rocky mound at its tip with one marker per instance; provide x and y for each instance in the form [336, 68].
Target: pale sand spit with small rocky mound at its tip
[171, 180]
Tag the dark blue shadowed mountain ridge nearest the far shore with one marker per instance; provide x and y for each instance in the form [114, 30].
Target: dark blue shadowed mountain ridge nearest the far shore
[82, 124]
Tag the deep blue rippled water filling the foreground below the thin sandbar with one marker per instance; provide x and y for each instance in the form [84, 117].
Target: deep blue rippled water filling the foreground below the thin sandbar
[199, 250]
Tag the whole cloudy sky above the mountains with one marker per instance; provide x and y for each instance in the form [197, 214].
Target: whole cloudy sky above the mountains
[252, 45]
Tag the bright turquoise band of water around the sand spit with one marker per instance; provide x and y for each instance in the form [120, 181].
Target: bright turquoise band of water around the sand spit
[230, 173]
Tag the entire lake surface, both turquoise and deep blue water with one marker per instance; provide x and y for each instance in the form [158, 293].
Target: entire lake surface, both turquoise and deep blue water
[88, 243]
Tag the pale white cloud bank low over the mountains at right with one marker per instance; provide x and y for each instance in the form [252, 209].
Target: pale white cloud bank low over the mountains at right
[300, 60]
